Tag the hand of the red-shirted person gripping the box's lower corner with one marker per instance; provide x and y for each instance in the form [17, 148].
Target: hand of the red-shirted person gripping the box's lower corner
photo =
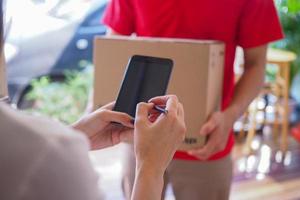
[216, 129]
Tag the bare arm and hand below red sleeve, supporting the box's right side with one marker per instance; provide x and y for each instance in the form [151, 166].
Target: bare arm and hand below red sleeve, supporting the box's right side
[219, 124]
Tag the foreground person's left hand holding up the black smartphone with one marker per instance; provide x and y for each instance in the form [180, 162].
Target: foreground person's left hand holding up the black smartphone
[101, 132]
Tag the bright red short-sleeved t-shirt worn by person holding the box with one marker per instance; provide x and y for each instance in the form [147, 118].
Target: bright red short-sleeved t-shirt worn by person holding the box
[247, 23]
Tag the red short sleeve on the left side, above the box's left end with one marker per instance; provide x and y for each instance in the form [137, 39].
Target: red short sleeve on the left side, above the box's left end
[119, 16]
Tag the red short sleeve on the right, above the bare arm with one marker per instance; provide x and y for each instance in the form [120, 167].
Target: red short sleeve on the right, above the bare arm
[259, 24]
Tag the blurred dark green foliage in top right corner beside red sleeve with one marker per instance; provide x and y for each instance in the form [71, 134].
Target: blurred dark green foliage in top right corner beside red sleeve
[289, 13]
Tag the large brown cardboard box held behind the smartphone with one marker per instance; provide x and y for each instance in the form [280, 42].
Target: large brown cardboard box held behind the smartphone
[196, 78]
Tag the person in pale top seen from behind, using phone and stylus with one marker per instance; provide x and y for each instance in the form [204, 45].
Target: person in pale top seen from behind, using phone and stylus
[45, 160]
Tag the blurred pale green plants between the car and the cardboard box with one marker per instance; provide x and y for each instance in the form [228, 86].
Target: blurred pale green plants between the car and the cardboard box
[64, 101]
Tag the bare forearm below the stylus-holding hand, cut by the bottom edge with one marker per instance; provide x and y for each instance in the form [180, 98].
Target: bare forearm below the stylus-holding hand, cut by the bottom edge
[148, 184]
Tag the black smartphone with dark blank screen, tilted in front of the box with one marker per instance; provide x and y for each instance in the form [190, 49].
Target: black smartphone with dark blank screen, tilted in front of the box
[145, 78]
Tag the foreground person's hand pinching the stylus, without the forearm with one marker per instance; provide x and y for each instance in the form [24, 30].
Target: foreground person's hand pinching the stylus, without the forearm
[155, 142]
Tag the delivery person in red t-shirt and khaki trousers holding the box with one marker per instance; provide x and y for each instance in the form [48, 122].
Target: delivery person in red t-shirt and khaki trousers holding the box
[205, 173]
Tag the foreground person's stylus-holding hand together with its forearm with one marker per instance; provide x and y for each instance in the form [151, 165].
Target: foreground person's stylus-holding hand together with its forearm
[155, 142]
